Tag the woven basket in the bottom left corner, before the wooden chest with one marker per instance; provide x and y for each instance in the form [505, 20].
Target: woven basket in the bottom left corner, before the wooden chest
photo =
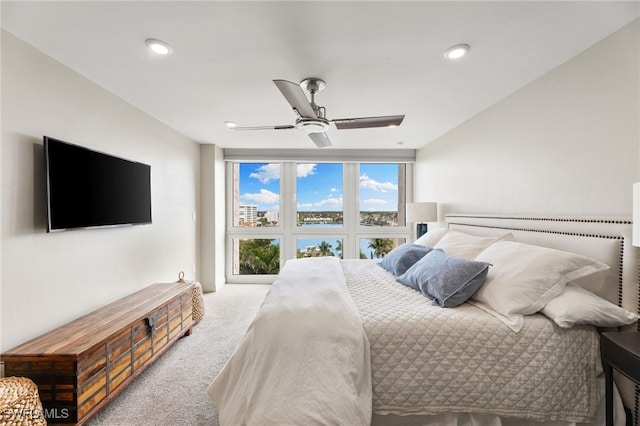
[20, 403]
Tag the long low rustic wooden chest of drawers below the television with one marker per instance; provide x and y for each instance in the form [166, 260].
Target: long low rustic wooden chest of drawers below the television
[81, 366]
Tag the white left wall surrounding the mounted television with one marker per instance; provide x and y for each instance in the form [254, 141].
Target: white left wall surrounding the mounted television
[50, 279]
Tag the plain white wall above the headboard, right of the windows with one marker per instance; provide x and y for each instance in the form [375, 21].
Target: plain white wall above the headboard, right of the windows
[566, 144]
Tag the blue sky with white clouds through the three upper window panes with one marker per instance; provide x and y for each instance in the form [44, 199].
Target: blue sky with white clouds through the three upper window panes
[319, 186]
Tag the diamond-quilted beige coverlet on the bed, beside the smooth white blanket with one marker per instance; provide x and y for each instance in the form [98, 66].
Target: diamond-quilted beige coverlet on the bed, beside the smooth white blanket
[429, 360]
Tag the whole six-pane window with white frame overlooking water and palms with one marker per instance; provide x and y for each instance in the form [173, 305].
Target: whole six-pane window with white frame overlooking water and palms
[287, 210]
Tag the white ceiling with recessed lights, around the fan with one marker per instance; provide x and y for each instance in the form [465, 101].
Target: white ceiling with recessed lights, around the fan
[377, 58]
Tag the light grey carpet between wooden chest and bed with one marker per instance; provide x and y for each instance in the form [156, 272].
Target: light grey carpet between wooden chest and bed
[172, 391]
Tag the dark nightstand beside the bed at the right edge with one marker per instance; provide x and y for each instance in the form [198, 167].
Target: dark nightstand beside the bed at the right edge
[622, 352]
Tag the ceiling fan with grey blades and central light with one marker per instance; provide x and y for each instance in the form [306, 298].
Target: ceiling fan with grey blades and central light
[312, 117]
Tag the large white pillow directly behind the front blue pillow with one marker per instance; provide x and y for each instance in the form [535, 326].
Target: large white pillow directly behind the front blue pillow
[524, 278]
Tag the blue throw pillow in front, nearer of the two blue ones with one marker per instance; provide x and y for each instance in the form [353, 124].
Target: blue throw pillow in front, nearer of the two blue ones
[448, 280]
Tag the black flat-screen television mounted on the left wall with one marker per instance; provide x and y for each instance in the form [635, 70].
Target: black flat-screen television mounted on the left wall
[87, 189]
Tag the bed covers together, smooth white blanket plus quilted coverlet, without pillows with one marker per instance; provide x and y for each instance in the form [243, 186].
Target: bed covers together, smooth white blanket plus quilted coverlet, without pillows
[336, 340]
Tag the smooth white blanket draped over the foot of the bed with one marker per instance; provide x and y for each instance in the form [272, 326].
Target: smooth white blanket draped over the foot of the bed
[304, 359]
